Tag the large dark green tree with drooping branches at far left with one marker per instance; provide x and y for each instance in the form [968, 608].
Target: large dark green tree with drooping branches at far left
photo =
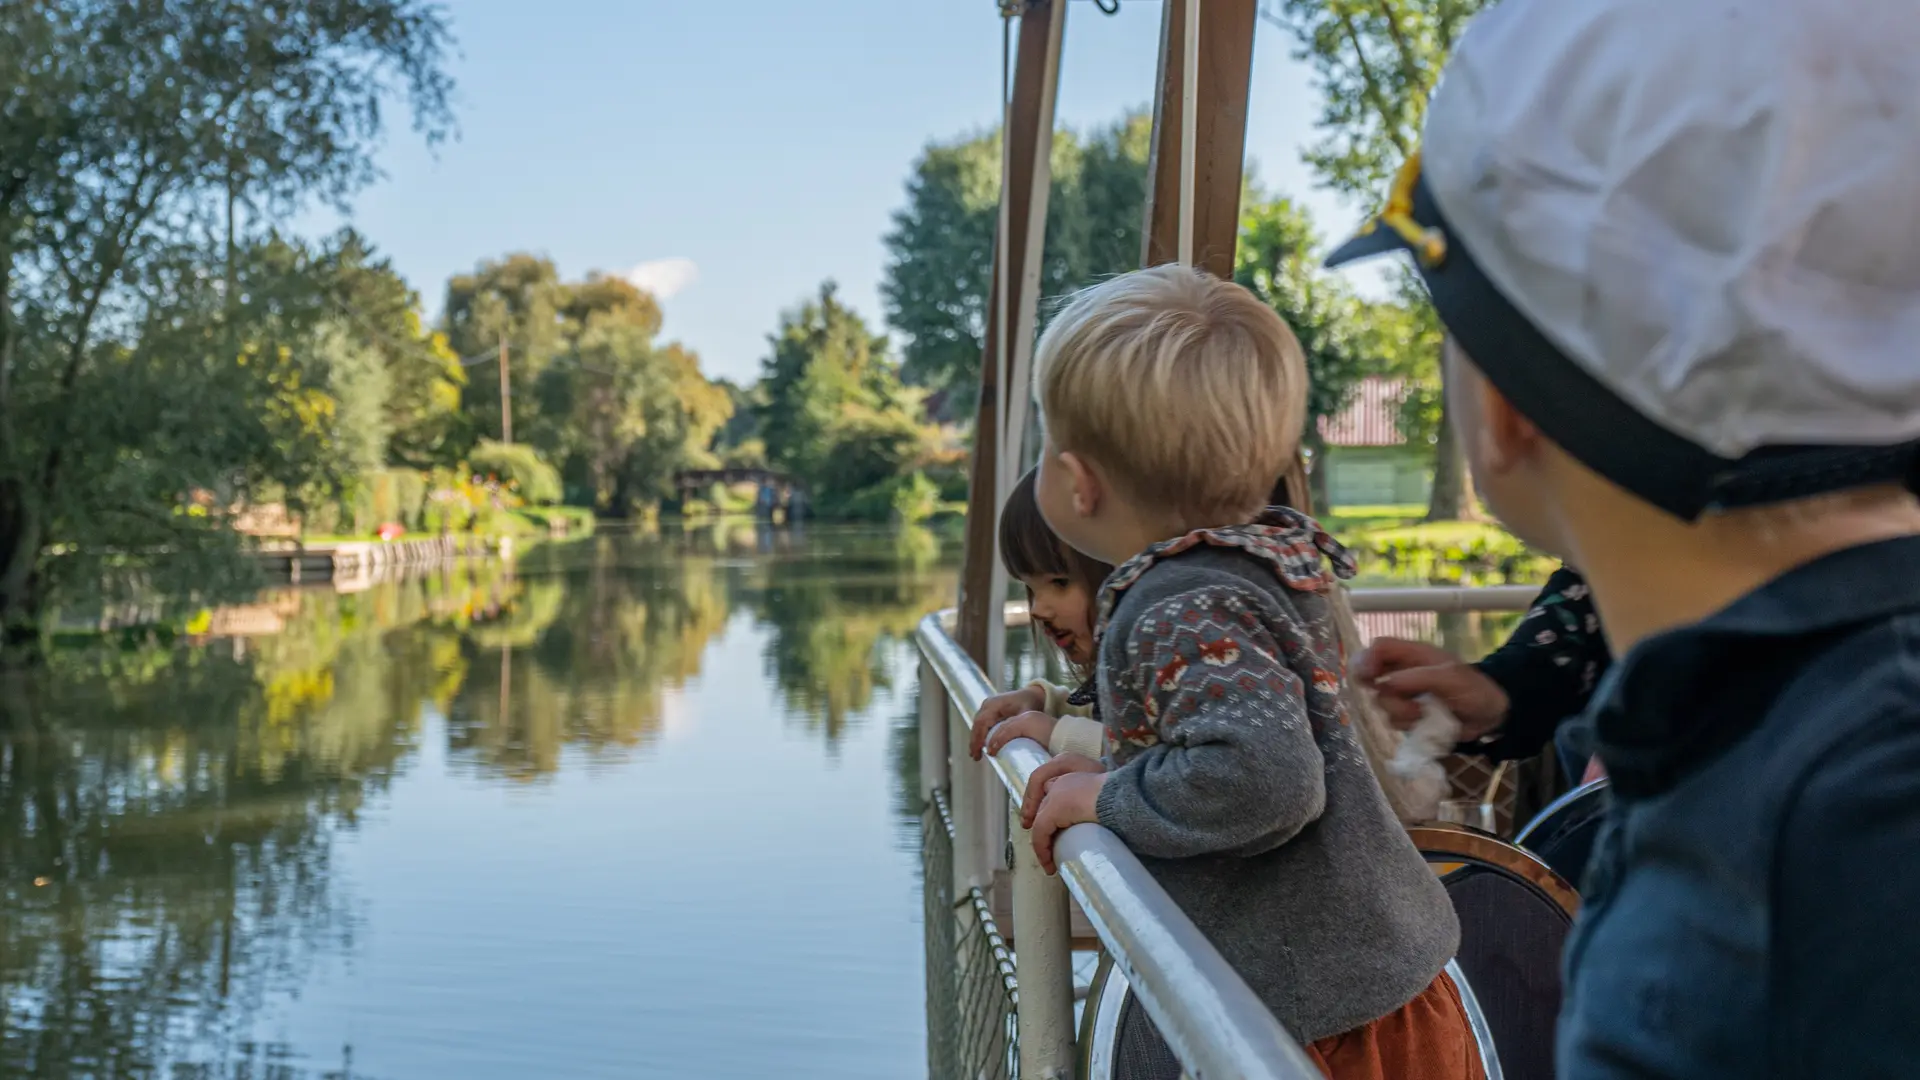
[133, 135]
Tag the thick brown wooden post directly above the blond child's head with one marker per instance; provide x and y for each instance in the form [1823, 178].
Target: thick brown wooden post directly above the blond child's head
[1226, 70]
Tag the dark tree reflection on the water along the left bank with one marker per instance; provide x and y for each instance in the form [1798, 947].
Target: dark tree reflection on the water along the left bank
[168, 820]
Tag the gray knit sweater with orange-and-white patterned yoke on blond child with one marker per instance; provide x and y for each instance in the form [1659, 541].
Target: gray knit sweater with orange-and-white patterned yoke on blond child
[1239, 783]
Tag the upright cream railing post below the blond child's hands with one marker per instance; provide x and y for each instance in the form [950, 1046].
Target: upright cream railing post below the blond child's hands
[1044, 962]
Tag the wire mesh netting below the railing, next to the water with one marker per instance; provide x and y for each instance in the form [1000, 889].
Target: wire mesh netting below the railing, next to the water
[972, 998]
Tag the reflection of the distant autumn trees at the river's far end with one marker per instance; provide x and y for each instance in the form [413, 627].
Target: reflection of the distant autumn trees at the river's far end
[602, 633]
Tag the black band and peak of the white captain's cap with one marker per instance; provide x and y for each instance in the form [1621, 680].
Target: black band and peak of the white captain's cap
[1596, 426]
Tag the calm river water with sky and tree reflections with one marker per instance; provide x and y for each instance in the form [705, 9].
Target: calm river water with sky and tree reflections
[638, 808]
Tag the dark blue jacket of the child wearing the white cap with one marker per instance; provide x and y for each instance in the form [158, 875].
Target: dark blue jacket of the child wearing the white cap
[1754, 904]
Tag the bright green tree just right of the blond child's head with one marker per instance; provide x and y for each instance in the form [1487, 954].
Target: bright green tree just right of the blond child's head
[1278, 260]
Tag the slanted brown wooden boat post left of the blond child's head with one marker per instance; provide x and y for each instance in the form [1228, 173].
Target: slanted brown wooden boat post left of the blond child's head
[1026, 145]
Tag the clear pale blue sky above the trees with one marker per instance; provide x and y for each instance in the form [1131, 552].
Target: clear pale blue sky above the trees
[765, 143]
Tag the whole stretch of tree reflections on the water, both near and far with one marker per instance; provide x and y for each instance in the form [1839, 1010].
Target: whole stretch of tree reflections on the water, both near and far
[168, 818]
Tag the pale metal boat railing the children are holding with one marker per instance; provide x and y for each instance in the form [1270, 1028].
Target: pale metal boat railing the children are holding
[1209, 1016]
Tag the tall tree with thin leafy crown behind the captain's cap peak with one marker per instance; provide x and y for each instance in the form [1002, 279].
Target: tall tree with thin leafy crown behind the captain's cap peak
[1376, 62]
